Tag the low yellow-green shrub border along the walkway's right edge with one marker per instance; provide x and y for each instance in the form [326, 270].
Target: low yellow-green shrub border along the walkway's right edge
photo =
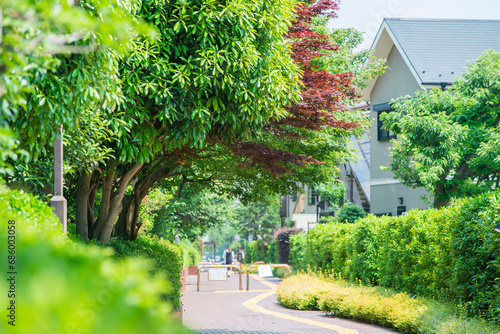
[378, 306]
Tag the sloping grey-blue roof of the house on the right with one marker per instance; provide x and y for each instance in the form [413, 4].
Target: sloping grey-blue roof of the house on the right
[439, 49]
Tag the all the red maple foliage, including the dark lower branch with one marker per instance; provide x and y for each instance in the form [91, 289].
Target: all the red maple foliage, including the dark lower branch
[322, 94]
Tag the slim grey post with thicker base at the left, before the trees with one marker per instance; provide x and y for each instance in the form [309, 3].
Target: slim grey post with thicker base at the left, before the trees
[58, 202]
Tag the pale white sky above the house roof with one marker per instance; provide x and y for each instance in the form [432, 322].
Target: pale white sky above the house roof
[366, 15]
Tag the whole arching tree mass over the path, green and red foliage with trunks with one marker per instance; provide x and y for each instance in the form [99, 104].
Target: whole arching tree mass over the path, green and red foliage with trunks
[235, 95]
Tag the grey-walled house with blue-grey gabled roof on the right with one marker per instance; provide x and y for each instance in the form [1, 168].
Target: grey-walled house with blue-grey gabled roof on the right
[421, 54]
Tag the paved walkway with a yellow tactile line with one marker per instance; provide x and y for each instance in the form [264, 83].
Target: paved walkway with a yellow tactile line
[219, 307]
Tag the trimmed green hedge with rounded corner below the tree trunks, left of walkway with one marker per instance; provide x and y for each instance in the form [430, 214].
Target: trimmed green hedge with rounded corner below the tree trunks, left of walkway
[166, 260]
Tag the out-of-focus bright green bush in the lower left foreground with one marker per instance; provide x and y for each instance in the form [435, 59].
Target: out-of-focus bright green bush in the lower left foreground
[63, 287]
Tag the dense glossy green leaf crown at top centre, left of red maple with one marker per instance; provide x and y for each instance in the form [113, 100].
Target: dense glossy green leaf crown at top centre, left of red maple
[219, 69]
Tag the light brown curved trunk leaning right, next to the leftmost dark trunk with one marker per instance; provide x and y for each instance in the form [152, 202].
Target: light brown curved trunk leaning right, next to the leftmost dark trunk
[115, 206]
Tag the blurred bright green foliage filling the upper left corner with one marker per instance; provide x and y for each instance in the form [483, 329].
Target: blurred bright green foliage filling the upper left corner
[37, 39]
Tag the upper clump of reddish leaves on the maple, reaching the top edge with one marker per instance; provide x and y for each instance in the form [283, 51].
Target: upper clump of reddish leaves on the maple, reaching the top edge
[324, 92]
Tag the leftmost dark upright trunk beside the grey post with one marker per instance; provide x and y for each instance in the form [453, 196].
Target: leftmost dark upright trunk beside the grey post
[82, 202]
